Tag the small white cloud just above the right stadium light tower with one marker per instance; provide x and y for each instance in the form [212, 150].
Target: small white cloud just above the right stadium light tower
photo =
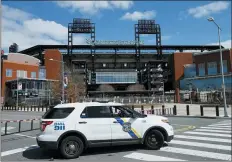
[136, 15]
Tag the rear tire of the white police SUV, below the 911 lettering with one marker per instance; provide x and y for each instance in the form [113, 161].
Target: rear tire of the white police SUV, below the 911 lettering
[77, 147]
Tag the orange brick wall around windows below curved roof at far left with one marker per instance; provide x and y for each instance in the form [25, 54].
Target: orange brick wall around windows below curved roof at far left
[14, 67]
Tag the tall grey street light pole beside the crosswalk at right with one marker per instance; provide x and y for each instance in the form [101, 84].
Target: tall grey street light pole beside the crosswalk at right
[211, 19]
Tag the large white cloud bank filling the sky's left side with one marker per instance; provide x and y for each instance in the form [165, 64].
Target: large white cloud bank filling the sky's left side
[26, 30]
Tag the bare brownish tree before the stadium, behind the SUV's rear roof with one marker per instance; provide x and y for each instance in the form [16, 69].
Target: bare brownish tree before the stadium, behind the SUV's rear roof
[75, 88]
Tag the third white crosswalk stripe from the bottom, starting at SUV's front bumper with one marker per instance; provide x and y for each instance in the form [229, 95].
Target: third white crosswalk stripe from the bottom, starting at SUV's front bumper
[198, 144]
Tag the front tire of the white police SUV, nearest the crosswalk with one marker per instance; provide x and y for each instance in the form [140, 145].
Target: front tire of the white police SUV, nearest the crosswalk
[154, 140]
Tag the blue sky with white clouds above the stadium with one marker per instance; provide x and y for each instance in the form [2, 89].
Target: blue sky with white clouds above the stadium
[29, 23]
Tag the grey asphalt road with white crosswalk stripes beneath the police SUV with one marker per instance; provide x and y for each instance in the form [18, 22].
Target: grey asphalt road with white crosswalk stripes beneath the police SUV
[195, 140]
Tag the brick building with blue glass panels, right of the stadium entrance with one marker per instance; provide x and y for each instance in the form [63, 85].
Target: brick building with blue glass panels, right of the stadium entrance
[201, 71]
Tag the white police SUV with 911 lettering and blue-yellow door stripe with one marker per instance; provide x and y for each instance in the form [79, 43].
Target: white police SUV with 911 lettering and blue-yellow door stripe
[73, 127]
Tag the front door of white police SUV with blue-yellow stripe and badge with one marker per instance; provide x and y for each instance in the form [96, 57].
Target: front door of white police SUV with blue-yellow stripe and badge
[124, 126]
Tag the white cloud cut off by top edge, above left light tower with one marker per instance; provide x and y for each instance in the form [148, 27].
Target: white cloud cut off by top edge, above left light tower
[93, 7]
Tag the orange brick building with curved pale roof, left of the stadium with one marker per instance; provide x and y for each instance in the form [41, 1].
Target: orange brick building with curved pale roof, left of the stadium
[32, 79]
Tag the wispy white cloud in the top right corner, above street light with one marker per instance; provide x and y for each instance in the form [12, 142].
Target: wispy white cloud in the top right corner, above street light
[206, 10]
